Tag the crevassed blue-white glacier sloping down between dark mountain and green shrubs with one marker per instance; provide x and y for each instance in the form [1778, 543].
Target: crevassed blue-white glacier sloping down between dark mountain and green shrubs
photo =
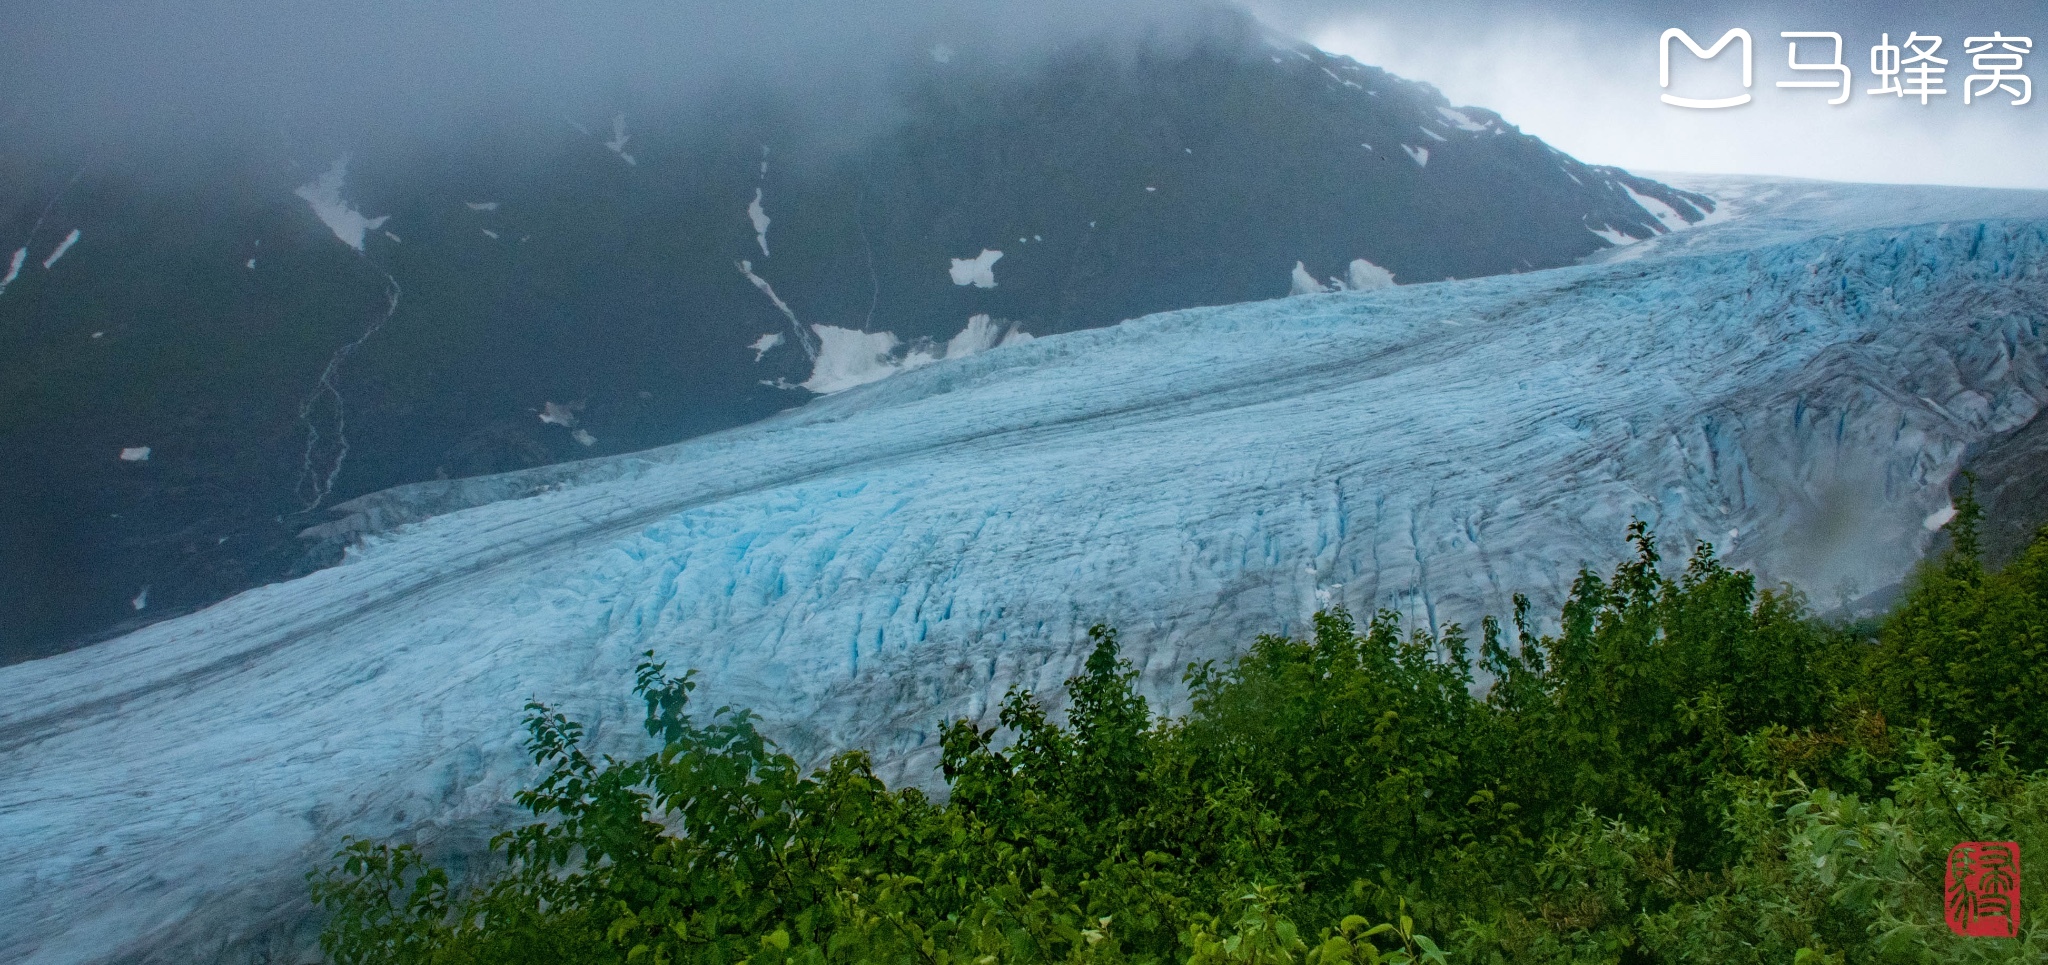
[1797, 384]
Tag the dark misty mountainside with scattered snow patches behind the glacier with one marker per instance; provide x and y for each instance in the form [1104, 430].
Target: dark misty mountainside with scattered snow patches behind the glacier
[288, 331]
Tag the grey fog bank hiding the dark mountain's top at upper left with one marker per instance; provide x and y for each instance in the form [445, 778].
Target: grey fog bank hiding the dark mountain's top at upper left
[148, 75]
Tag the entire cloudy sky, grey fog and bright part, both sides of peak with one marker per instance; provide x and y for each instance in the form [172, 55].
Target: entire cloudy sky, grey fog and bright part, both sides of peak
[1580, 75]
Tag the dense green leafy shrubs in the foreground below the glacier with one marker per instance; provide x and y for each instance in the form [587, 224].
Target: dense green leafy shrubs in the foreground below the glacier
[1691, 771]
